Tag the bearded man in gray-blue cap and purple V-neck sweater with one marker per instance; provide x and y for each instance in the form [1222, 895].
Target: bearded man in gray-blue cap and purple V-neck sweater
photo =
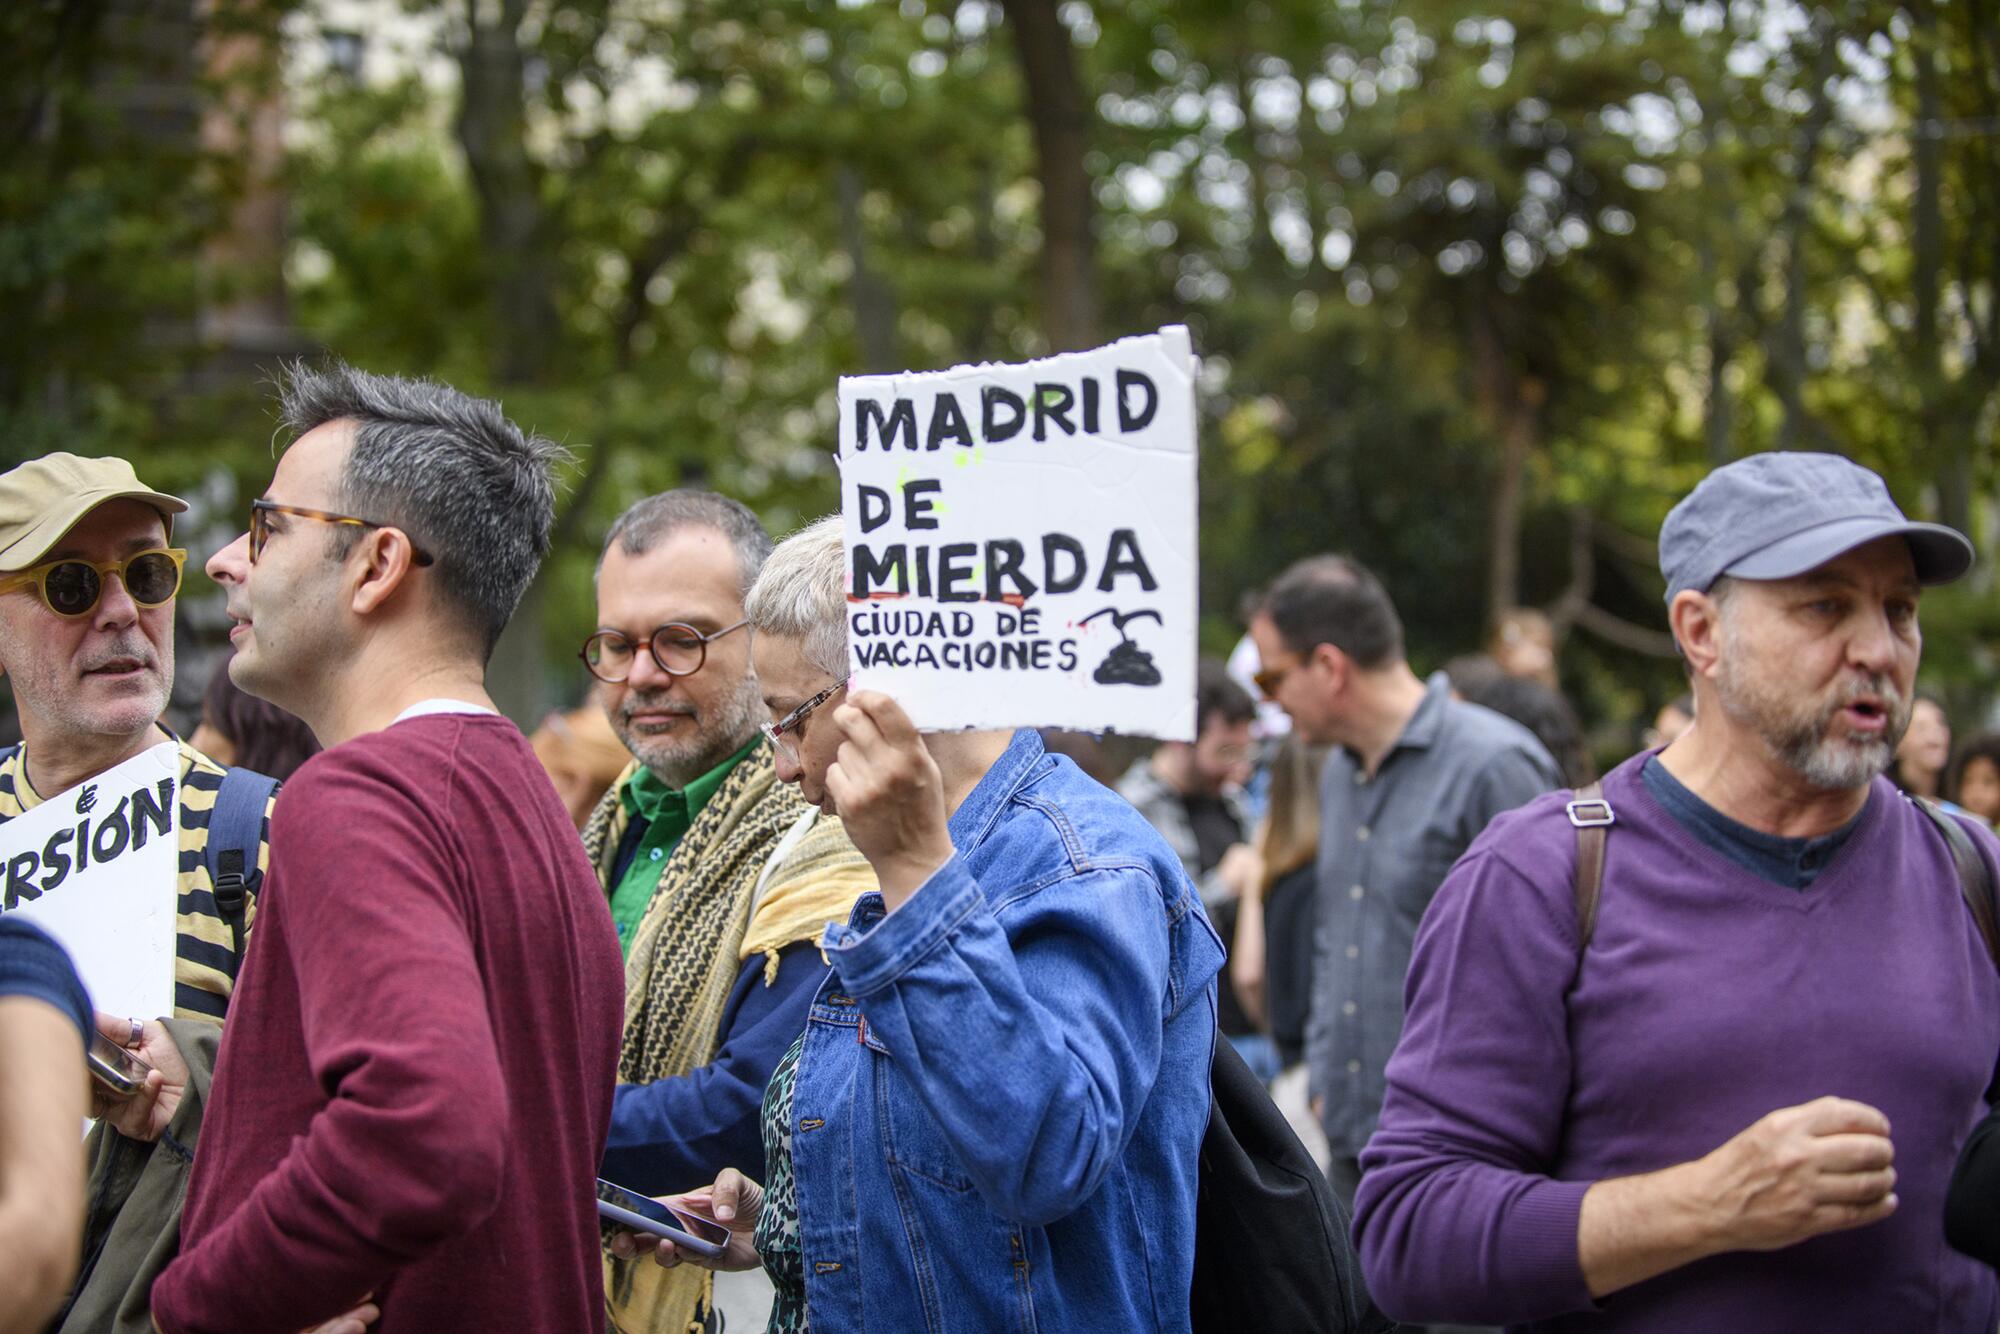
[1697, 1053]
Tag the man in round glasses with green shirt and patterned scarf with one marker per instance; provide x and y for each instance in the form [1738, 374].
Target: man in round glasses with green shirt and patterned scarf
[719, 877]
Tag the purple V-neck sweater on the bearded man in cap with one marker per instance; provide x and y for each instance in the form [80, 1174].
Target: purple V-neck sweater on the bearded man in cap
[1709, 999]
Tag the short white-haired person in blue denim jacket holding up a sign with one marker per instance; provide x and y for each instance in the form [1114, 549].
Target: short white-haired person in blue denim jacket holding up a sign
[995, 1115]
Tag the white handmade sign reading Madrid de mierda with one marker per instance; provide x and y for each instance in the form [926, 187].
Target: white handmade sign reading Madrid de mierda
[1021, 541]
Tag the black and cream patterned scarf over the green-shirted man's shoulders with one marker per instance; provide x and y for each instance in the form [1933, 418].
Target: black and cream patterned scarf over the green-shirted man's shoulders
[679, 979]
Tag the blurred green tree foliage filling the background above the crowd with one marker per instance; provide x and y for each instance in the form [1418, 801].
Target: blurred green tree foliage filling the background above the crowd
[1481, 289]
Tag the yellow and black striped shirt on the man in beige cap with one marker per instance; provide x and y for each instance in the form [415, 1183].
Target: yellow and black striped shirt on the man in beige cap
[203, 941]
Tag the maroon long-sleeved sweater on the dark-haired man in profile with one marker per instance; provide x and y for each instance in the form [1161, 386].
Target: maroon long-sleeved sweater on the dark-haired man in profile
[417, 1073]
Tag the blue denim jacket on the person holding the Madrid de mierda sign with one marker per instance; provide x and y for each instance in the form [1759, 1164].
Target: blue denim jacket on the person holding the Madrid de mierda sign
[1005, 1085]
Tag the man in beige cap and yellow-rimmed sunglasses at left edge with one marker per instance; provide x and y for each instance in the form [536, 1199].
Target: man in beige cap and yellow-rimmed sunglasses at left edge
[87, 641]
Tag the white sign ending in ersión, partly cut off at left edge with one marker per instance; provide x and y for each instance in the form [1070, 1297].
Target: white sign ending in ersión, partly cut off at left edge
[99, 869]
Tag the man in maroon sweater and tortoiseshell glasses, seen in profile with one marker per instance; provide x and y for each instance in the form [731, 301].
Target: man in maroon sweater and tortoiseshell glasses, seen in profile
[427, 1029]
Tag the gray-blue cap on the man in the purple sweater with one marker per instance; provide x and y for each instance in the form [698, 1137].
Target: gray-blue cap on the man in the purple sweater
[1785, 513]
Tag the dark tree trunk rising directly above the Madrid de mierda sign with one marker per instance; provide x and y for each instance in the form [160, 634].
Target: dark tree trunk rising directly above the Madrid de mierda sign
[1061, 119]
